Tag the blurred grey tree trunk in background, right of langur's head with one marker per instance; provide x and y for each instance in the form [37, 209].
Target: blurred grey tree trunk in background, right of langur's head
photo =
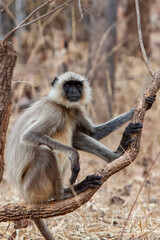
[102, 59]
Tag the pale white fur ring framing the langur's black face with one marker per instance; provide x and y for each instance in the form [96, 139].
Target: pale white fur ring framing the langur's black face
[57, 93]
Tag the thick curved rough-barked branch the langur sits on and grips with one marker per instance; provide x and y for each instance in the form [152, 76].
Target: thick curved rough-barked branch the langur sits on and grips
[12, 212]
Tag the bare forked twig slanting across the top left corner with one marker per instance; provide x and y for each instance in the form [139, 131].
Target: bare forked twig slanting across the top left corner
[37, 19]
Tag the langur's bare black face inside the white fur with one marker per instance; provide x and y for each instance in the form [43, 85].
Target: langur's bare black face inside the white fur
[73, 90]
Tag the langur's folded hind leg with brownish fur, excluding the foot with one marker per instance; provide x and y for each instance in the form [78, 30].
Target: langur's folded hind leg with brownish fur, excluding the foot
[42, 180]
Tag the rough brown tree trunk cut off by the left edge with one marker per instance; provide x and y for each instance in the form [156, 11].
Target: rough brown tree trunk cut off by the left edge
[8, 58]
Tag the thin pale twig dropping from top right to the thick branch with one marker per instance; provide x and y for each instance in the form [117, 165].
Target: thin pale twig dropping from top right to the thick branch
[141, 39]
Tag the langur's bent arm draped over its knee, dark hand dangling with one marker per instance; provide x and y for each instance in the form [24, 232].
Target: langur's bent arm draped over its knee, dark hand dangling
[36, 136]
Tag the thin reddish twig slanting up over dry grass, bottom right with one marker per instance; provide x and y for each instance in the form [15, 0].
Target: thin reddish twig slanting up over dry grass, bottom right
[140, 190]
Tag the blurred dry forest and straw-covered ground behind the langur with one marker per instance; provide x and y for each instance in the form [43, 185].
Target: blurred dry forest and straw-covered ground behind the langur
[101, 43]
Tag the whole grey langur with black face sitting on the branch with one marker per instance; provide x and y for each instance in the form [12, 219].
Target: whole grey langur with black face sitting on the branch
[46, 137]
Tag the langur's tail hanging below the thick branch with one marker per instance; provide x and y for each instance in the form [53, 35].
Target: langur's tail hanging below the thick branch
[43, 229]
